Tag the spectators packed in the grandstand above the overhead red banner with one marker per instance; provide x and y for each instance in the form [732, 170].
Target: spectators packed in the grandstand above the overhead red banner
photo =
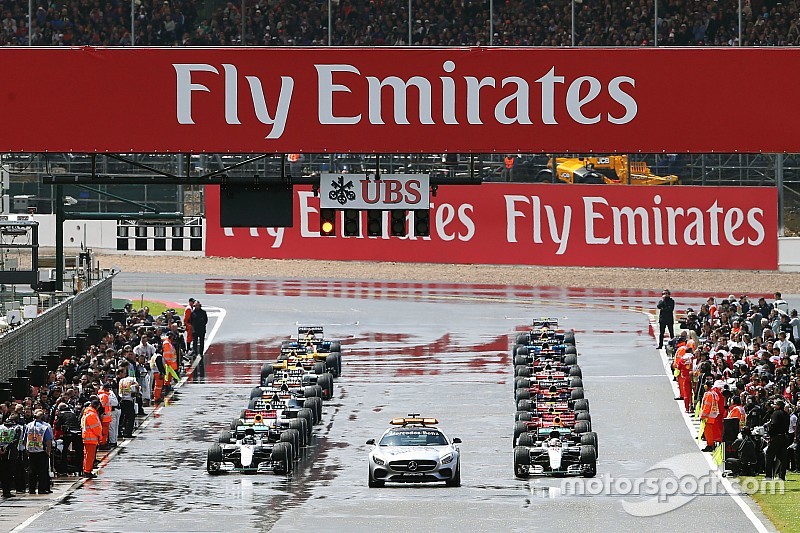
[385, 23]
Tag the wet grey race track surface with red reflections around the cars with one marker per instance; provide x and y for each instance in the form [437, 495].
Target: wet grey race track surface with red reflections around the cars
[407, 349]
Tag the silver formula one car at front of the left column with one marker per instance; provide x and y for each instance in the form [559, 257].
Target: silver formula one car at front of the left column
[253, 453]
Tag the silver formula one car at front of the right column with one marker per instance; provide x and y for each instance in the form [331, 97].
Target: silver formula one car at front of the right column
[553, 452]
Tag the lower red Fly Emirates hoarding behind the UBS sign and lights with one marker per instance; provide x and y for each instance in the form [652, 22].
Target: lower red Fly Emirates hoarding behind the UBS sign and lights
[541, 224]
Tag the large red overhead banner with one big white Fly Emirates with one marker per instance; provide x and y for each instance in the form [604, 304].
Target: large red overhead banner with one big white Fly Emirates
[286, 100]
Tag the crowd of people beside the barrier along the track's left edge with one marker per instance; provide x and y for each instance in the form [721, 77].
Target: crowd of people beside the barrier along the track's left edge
[94, 399]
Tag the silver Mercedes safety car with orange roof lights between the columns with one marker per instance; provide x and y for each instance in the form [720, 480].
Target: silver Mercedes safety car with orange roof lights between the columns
[413, 450]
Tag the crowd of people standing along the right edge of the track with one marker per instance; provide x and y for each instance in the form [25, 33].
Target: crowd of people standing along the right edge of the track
[738, 359]
